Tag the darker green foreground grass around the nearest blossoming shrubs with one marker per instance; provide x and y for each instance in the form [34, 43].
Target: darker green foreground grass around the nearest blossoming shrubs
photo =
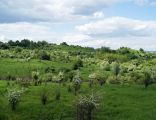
[117, 103]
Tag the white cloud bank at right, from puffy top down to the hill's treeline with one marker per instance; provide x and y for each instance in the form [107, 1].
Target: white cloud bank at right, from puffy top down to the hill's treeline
[116, 32]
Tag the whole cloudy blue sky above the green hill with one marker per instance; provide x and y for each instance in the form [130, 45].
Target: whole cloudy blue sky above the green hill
[91, 23]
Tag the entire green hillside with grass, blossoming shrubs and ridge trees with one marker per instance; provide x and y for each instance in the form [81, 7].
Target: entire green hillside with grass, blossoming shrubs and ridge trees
[43, 81]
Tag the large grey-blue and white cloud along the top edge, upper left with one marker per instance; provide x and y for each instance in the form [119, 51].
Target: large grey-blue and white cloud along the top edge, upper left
[52, 9]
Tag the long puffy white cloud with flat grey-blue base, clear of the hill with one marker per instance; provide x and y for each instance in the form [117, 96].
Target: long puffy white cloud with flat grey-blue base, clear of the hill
[119, 26]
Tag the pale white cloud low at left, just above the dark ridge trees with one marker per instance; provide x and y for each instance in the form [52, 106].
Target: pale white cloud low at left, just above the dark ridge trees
[18, 31]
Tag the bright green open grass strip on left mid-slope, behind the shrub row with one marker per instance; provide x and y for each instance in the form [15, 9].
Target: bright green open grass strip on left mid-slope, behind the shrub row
[21, 68]
